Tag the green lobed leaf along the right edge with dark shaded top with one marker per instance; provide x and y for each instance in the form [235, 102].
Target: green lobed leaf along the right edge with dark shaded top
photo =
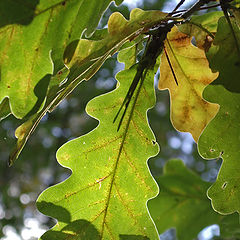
[221, 136]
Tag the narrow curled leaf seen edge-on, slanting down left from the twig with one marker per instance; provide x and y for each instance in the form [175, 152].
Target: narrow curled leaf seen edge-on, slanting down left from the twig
[83, 58]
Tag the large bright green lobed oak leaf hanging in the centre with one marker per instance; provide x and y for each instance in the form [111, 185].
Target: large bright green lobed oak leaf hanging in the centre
[110, 182]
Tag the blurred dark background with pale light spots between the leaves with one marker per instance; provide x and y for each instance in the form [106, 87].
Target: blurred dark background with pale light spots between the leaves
[36, 169]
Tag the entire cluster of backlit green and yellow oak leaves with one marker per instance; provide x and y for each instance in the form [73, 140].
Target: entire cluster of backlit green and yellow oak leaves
[41, 64]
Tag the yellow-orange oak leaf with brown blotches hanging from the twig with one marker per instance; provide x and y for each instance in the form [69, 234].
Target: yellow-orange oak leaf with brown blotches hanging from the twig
[189, 111]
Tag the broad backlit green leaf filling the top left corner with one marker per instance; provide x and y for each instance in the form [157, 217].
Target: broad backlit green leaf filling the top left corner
[33, 37]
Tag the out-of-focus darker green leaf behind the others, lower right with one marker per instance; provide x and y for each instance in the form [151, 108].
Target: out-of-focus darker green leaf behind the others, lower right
[182, 202]
